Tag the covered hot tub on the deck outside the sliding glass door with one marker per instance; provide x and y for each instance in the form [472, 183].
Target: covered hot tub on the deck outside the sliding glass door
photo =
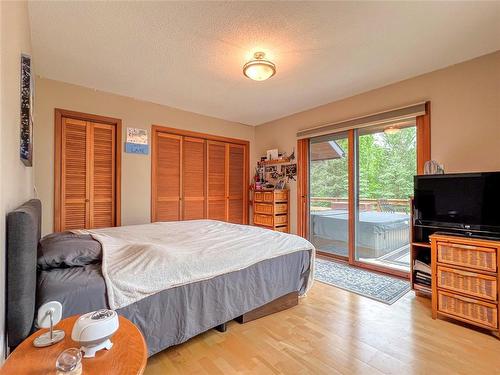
[378, 233]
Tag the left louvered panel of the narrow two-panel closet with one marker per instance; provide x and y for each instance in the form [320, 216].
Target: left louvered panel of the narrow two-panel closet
[75, 139]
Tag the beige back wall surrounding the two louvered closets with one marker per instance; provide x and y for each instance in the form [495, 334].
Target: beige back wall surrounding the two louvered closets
[136, 176]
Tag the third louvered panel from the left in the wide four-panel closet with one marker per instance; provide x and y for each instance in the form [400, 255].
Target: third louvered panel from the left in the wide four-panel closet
[216, 180]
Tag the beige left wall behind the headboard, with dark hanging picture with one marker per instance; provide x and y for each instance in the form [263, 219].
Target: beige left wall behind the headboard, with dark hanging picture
[17, 180]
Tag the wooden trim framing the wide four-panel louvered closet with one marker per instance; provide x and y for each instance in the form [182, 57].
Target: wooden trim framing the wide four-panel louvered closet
[209, 138]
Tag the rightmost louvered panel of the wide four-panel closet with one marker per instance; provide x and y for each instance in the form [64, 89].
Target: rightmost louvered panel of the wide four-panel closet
[236, 183]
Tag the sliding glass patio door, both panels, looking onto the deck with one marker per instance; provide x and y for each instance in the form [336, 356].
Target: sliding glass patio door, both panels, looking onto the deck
[360, 187]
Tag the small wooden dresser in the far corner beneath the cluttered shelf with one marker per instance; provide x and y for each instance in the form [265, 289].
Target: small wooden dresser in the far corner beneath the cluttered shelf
[271, 210]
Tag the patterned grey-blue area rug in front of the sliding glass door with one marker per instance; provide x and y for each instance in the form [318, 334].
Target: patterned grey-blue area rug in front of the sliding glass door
[373, 285]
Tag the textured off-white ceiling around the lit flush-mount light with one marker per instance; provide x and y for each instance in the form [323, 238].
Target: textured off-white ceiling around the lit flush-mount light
[190, 55]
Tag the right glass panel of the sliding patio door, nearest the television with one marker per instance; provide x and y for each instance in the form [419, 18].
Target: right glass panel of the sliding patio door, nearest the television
[386, 161]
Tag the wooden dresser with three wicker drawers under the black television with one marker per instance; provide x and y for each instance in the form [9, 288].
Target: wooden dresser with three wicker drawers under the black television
[465, 280]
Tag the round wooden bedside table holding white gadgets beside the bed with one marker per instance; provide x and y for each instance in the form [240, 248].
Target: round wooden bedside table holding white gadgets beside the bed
[127, 356]
